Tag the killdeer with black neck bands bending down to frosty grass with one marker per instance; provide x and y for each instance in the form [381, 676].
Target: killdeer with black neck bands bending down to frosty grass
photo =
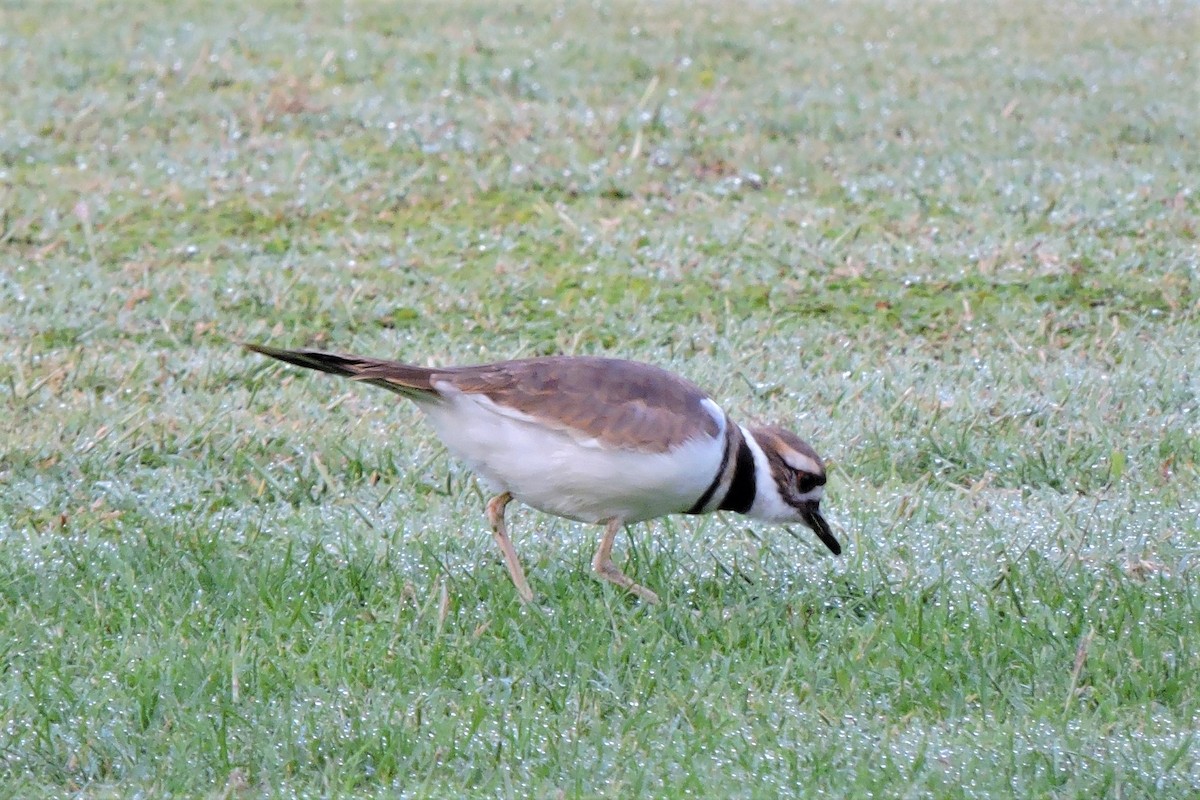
[598, 441]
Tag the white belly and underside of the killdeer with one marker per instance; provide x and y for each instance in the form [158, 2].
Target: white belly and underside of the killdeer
[571, 477]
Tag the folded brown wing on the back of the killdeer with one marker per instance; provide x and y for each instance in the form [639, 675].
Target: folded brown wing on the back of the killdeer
[620, 404]
